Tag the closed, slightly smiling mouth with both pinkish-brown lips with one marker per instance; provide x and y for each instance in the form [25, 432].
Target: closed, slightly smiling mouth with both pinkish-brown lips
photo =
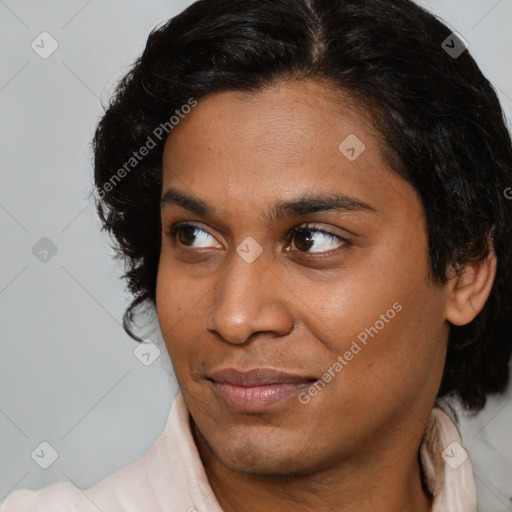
[257, 389]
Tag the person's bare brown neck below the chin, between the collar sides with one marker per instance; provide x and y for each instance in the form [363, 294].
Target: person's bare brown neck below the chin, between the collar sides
[385, 481]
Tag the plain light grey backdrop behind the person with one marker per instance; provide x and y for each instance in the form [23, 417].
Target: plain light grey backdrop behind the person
[68, 374]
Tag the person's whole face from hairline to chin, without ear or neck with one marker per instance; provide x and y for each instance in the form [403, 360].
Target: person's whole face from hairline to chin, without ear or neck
[293, 292]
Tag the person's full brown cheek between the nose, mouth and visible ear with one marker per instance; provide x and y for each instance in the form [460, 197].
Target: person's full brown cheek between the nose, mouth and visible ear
[386, 321]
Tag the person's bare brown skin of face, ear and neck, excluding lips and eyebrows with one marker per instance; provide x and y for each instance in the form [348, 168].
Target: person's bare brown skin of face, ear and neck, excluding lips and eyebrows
[354, 446]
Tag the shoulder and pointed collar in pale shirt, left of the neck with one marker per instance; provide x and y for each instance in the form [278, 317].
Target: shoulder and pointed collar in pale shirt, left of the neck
[158, 480]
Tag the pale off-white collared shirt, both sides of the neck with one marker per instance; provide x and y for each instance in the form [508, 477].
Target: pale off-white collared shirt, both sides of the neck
[170, 477]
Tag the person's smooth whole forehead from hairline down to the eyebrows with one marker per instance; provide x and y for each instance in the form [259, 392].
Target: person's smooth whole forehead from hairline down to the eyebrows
[276, 143]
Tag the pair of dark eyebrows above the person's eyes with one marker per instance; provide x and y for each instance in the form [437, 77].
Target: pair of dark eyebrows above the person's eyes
[336, 202]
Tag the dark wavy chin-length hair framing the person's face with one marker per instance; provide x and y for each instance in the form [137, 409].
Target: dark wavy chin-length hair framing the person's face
[439, 120]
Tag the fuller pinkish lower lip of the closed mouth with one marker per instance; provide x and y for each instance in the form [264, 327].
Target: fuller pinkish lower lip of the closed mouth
[257, 398]
